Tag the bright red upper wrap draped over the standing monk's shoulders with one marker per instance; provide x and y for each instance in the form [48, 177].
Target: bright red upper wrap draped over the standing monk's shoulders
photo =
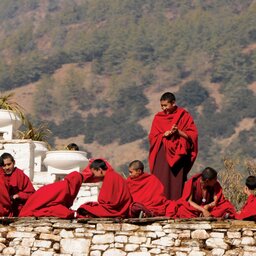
[176, 146]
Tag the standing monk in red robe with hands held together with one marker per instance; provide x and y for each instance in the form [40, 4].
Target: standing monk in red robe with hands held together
[173, 140]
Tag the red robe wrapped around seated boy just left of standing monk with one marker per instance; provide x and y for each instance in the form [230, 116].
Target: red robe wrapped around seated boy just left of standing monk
[147, 190]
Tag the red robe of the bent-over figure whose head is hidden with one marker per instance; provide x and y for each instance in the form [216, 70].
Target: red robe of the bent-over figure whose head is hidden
[54, 200]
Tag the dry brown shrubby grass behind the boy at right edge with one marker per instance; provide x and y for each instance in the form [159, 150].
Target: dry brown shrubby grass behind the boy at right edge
[233, 179]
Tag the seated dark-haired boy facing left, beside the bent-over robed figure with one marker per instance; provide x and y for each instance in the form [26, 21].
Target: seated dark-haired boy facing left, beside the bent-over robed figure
[114, 198]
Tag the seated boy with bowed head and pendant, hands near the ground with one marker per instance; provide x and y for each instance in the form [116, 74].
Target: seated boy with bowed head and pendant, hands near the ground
[203, 197]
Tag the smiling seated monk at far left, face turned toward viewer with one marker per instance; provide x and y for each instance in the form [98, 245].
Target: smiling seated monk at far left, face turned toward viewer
[19, 185]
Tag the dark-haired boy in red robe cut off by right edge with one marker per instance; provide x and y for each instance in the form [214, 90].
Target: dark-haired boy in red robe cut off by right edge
[248, 211]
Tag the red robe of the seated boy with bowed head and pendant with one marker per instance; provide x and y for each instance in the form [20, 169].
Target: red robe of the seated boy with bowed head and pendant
[193, 186]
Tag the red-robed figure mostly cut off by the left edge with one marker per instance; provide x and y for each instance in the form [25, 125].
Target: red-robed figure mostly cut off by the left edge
[5, 201]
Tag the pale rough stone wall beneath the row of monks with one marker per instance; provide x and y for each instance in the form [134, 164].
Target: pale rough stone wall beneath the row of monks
[129, 237]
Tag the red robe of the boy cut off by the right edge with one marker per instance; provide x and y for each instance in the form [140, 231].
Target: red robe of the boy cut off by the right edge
[248, 211]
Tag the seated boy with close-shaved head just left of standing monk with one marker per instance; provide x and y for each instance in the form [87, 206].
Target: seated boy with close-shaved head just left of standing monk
[148, 191]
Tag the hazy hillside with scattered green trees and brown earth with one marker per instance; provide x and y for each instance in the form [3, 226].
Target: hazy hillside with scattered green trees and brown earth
[94, 71]
